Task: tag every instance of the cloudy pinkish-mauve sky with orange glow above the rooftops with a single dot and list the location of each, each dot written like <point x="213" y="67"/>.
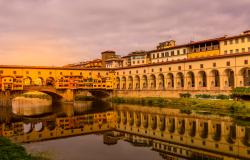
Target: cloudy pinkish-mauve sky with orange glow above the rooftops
<point x="59" y="32"/>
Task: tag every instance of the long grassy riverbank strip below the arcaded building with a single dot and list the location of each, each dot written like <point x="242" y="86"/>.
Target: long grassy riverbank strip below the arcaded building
<point x="215" y="106"/>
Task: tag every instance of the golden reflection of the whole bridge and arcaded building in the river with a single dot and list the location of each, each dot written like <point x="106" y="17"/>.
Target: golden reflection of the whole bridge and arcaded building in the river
<point x="174" y="135"/>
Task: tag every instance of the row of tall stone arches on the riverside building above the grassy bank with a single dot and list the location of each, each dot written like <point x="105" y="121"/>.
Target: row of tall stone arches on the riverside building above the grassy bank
<point x="202" y="79"/>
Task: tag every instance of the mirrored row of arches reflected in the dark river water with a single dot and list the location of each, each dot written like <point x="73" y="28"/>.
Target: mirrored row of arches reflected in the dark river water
<point x="190" y="127"/>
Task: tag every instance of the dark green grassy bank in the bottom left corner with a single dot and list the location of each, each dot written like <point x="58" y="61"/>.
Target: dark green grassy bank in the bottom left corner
<point x="9" y="151"/>
